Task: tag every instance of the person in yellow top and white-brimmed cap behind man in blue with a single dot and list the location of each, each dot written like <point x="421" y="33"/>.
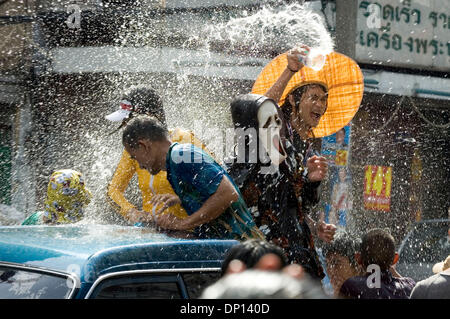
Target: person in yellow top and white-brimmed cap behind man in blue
<point x="155" y="189"/>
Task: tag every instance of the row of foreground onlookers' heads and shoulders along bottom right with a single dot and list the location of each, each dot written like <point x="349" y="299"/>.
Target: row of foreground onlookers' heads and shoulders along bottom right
<point x="258" y="269"/>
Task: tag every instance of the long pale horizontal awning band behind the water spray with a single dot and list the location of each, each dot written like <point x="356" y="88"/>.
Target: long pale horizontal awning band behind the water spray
<point x="154" y="60"/>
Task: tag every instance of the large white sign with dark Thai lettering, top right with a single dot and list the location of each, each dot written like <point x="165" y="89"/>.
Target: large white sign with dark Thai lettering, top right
<point x="405" y="33"/>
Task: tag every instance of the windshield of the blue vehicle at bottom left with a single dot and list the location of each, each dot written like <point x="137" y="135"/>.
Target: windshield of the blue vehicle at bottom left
<point x="24" y="284"/>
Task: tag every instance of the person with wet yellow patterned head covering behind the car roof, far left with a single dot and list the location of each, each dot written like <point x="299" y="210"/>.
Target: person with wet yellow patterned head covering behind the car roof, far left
<point x="67" y="198"/>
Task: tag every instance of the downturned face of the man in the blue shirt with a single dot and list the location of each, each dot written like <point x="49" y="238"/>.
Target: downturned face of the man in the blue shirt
<point x="149" y="156"/>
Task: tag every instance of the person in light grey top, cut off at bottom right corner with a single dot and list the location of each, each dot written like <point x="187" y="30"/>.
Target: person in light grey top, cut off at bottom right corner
<point x="436" y="286"/>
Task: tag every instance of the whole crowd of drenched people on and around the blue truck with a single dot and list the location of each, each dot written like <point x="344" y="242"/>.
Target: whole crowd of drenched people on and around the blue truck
<point x="261" y="195"/>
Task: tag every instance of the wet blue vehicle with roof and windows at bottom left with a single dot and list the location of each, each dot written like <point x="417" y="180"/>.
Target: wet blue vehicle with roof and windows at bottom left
<point x="105" y="261"/>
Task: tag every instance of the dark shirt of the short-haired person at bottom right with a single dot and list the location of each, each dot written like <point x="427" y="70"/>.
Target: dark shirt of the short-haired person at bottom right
<point x="390" y="287"/>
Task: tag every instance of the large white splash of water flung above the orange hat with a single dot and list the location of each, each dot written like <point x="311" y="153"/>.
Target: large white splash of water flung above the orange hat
<point x="289" y="26"/>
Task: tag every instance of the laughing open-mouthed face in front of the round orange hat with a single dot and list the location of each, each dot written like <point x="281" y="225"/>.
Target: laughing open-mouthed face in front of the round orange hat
<point x="312" y="105"/>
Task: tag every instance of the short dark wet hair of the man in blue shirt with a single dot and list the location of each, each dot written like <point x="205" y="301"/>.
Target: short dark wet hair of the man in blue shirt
<point x="143" y="127"/>
